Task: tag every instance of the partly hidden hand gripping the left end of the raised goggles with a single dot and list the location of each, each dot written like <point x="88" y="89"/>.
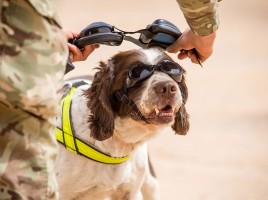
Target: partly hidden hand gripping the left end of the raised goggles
<point x="77" y="54"/>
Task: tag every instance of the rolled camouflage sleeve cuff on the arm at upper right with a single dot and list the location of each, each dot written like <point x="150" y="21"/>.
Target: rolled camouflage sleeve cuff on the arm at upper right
<point x="201" y="15"/>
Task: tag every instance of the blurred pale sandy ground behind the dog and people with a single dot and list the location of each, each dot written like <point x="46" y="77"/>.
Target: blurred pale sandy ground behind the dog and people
<point x="225" y="154"/>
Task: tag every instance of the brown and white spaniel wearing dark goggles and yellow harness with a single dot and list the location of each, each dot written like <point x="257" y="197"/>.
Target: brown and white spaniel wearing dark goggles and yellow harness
<point x="132" y="97"/>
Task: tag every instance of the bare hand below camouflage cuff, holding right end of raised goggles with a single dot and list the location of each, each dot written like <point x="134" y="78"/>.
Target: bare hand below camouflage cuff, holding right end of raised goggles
<point x="189" y="41"/>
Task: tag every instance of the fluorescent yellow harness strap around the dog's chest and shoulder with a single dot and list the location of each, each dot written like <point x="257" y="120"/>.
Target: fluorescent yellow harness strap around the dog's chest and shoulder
<point x="74" y="144"/>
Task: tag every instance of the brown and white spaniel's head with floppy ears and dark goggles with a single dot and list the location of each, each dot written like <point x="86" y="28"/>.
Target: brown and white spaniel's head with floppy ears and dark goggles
<point x="159" y="96"/>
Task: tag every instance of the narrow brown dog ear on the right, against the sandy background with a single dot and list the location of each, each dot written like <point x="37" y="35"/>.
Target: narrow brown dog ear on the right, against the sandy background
<point x="181" y="124"/>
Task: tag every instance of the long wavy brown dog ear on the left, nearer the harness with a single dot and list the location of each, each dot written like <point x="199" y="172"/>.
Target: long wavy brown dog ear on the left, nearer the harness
<point x="101" y="120"/>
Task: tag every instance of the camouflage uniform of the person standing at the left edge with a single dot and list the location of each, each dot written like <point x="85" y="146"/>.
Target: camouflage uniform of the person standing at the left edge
<point x="33" y="54"/>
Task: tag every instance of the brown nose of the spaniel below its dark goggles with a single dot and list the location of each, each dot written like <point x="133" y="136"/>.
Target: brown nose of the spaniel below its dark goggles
<point x="166" y="89"/>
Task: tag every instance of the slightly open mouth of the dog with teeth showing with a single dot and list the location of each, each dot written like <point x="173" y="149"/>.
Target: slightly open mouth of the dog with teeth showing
<point x="159" y="115"/>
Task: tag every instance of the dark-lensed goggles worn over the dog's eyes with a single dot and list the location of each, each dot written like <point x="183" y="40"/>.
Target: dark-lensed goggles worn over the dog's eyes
<point x="139" y="72"/>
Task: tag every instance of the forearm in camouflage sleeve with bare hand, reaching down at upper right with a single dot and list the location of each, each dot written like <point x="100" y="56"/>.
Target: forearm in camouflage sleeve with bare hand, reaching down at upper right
<point x="202" y="17"/>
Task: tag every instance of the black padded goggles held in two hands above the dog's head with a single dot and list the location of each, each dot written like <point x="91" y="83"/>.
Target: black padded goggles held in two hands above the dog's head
<point x="161" y="33"/>
